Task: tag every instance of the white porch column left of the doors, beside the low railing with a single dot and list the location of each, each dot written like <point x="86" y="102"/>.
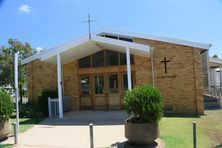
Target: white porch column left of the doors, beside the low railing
<point x="59" y="76"/>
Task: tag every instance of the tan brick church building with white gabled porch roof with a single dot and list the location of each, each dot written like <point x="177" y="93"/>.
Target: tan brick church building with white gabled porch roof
<point x="95" y="71"/>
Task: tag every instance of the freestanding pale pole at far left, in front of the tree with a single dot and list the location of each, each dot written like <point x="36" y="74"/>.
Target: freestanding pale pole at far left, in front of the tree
<point x="16" y="91"/>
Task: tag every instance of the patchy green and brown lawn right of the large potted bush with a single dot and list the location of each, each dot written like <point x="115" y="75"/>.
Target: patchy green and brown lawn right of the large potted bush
<point x="177" y="131"/>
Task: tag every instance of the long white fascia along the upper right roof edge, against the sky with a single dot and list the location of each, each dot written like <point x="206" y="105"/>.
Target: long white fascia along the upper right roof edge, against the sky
<point x="157" y="38"/>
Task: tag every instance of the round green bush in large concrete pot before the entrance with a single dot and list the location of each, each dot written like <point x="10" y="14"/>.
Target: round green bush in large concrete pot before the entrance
<point x="144" y="106"/>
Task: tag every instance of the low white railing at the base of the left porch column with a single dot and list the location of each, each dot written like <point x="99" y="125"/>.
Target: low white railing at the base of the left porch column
<point x="53" y="106"/>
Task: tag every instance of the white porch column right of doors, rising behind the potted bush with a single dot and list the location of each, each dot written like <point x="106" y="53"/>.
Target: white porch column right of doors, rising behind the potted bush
<point x="129" y="80"/>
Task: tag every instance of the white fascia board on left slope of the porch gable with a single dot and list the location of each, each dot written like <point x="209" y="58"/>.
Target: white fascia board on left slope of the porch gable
<point x="59" y="49"/>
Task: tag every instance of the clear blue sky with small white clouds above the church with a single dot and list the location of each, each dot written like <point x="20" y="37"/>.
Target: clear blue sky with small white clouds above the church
<point x="48" y="23"/>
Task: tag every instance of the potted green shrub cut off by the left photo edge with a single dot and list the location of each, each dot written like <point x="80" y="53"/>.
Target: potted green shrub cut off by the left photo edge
<point x="6" y="109"/>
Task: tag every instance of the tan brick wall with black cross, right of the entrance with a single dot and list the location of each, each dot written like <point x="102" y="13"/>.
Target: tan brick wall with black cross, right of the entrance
<point x="182" y="86"/>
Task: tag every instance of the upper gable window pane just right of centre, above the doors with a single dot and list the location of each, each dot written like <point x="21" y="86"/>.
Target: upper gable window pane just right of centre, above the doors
<point x="112" y="58"/>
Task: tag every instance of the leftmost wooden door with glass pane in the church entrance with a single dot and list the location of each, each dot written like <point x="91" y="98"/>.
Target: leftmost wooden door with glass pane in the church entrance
<point x="86" y="92"/>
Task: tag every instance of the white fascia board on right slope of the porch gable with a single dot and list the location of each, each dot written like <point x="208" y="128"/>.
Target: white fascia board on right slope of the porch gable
<point x="121" y="43"/>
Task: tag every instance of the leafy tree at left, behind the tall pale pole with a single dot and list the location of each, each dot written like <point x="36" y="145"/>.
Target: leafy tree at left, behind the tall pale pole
<point x="7" y="64"/>
